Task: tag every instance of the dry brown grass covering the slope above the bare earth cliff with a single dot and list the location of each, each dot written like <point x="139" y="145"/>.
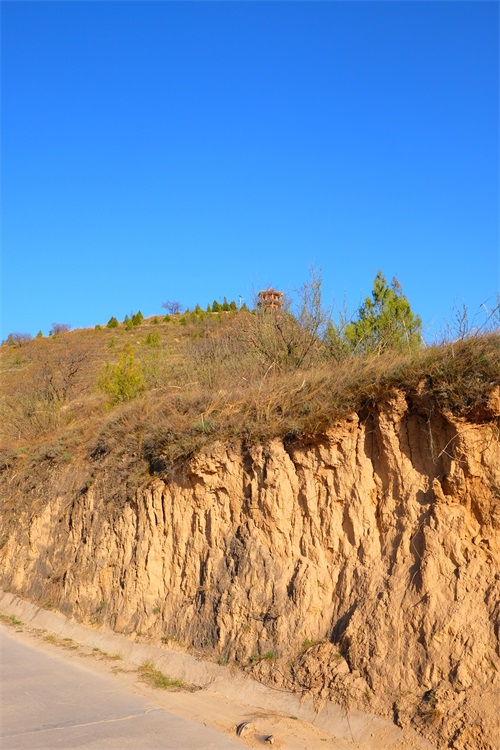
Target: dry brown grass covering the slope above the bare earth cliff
<point x="207" y="379"/>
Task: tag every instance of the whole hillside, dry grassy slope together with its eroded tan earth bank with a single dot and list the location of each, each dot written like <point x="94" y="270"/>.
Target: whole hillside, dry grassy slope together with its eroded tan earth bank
<point x="331" y="527"/>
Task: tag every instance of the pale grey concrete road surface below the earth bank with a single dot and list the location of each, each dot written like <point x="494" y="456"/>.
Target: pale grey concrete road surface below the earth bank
<point x="48" y="703"/>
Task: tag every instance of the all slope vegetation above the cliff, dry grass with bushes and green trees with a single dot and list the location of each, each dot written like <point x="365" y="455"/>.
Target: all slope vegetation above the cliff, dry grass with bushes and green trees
<point x="157" y="390"/>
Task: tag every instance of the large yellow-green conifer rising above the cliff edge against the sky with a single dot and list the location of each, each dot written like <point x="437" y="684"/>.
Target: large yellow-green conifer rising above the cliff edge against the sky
<point x="385" y="321"/>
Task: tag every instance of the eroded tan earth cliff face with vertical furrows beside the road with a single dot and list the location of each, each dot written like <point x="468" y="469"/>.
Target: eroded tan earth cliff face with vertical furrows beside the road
<point x="361" y="564"/>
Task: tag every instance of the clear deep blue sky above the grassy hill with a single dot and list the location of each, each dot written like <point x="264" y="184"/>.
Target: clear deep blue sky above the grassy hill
<point x="191" y="150"/>
